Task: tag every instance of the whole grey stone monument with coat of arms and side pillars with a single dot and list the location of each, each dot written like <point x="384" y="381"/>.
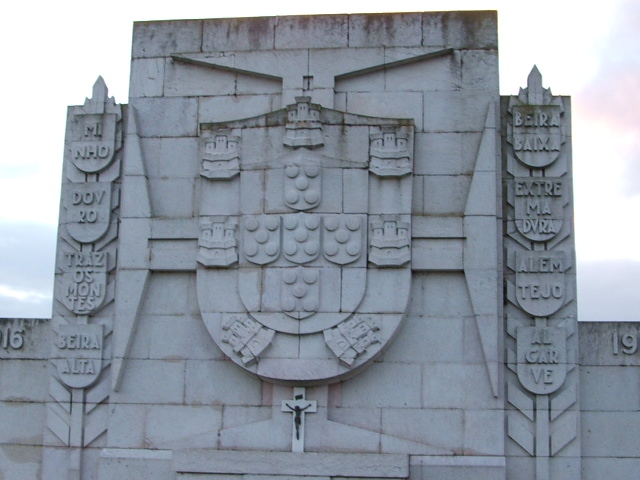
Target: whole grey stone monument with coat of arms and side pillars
<point x="311" y="248"/>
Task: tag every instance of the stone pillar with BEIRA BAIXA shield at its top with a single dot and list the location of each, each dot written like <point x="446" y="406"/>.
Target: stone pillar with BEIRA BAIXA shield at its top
<point x="542" y="382"/>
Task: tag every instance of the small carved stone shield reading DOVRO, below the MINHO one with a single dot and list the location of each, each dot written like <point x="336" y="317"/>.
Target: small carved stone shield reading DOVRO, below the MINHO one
<point x="88" y="210"/>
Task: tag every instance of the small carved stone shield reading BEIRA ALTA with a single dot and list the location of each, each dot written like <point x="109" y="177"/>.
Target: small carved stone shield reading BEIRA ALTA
<point x="78" y="356"/>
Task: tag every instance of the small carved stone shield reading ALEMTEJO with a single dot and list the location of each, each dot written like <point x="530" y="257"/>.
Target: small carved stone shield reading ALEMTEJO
<point x="540" y="281"/>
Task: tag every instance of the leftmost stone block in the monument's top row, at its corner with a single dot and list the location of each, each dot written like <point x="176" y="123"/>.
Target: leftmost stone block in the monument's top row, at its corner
<point x="158" y="39"/>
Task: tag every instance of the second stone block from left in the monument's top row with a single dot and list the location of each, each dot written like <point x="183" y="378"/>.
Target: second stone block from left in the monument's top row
<point x="227" y="34"/>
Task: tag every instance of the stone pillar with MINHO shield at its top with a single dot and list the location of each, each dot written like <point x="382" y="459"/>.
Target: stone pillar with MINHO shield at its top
<point x="79" y="384"/>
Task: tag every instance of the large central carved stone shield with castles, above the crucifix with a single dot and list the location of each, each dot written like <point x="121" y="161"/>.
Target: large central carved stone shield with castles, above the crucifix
<point x="305" y="304"/>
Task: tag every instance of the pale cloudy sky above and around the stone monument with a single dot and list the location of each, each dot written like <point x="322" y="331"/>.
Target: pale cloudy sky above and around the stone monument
<point x="54" y="51"/>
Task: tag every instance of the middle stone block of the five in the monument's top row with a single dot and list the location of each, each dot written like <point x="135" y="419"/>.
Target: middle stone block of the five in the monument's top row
<point x="307" y="32"/>
